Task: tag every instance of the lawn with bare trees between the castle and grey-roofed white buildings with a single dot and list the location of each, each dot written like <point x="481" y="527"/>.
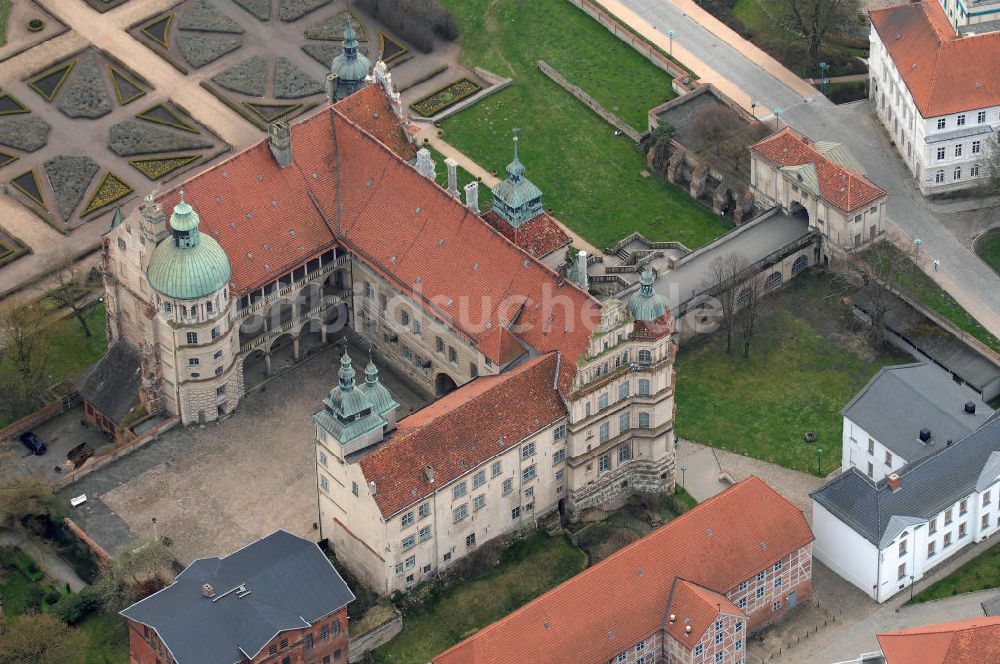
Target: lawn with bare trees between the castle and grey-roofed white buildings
<point x="804" y="366"/>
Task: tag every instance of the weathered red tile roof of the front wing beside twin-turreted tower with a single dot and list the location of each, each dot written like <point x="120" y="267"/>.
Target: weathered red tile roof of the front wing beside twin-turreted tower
<point x="458" y="432"/>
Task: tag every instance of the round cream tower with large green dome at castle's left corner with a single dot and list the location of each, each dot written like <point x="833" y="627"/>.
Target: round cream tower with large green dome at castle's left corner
<point x="189" y="272"/>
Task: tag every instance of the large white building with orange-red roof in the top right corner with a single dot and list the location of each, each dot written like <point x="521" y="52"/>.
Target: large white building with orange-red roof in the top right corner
<point x="936" y="91"/>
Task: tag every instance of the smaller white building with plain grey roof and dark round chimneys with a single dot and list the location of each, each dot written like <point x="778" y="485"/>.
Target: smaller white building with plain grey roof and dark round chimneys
<point x="905" y="413"/>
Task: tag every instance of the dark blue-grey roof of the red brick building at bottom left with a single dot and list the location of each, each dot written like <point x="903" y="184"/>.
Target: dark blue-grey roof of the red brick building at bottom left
<point x="289" y="585"/>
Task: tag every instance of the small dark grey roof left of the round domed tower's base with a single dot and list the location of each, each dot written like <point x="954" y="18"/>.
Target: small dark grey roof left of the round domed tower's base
<point x="112" y="386"/>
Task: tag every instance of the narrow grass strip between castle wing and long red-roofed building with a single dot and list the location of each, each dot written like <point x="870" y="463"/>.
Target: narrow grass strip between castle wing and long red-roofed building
<point x="528" y="569"/>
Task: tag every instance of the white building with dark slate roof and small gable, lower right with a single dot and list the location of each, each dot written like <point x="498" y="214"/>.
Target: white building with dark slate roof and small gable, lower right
<point x="884" y="536"/>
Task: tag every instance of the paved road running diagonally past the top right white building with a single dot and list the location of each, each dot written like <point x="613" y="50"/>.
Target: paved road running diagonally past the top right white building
<point x="962" y="274"/>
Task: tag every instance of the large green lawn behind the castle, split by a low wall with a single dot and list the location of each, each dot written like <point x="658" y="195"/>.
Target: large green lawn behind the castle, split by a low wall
<point x="589" y="178"/>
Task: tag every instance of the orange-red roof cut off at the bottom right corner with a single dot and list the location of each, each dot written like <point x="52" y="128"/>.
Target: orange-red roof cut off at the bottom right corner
<point x="975" y="641"/>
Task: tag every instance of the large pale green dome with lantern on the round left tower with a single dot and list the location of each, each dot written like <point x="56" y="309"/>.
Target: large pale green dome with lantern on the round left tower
<point x="187" y="265"/>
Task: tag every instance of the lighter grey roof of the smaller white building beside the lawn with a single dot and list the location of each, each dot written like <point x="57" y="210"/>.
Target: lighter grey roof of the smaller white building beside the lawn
<point x="900" y="401"/>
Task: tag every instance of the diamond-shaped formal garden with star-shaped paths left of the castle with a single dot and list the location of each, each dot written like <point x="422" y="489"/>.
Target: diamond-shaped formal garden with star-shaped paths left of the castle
<point x="67" y="151"/>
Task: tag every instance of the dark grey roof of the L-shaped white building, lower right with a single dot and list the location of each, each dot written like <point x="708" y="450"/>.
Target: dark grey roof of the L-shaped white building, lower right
<point x="928" y="486"/>
